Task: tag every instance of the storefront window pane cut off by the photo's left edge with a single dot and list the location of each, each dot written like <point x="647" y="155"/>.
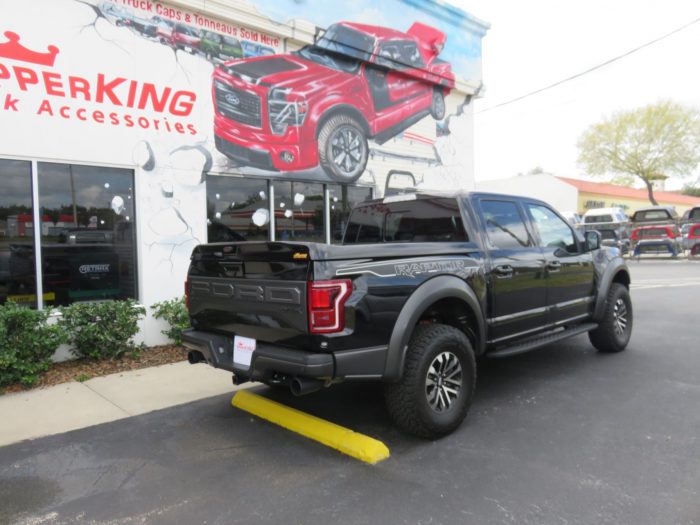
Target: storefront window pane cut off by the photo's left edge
<point x="17" y="272"/>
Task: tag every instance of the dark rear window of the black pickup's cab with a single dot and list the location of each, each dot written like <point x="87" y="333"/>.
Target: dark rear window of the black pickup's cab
<point x="421" y="220"/>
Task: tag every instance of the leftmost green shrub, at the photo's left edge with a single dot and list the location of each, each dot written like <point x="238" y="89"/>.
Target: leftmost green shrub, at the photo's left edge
<point x="27" y="343"/>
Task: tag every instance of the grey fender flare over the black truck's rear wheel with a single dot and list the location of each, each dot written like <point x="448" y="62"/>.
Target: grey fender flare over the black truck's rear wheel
<point x="433" y="290"/>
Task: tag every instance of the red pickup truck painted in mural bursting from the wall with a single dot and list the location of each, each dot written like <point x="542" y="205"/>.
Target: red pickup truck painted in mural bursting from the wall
<point x="321" y="104"/>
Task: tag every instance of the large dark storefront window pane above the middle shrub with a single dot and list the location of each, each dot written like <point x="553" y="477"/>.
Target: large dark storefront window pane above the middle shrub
<point x="87" y="233"/>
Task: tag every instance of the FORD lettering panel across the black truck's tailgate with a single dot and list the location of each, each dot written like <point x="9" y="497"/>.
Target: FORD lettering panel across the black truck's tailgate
<point x="259" y="292"/>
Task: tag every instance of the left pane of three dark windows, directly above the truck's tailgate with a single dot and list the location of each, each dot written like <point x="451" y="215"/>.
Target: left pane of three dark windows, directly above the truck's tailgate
<point x="237" y="209"/>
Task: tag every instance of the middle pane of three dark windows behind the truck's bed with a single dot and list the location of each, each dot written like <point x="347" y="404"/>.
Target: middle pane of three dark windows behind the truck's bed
<point x="299" y="211"/>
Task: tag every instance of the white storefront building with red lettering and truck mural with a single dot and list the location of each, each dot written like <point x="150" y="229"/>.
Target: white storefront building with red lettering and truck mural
<point x="133" y="130"/>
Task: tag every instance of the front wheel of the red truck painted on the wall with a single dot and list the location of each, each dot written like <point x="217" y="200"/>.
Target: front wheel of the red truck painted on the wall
<point x="342" y="148"/>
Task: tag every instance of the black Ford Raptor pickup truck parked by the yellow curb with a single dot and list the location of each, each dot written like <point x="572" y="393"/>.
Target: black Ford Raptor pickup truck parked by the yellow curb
<point x="421" y="286"/>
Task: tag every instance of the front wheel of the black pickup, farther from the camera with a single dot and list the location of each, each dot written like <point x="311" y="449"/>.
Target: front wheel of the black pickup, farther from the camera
<point x="614" y="331"/>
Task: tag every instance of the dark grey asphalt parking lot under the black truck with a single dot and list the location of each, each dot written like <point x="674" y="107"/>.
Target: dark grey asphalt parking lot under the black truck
<point x="560" y="435"/>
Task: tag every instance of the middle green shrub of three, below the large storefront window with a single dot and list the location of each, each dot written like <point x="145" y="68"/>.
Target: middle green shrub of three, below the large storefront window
<point x="102" y="330"/>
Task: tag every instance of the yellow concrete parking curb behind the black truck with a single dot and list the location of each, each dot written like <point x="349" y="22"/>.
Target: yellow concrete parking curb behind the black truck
<point x="340" y="438"/>
